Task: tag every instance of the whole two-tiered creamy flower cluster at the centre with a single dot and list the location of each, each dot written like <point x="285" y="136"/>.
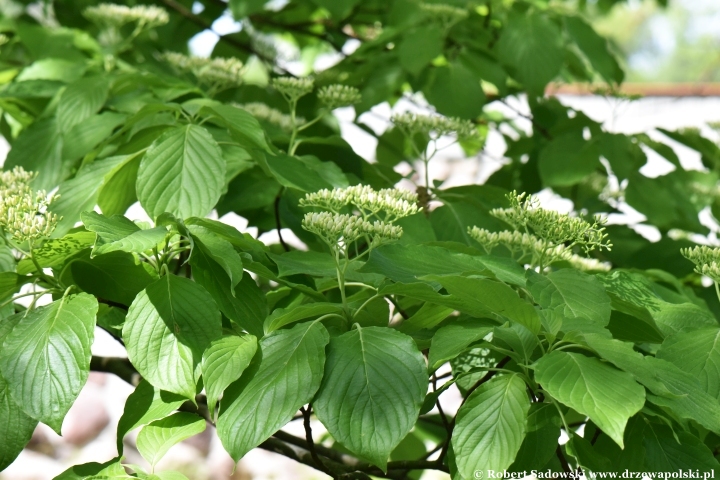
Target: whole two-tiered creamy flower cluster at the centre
<point x="370" y="215"/>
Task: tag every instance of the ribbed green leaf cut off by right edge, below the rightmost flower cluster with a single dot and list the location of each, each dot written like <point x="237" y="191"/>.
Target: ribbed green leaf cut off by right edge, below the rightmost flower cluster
<point x="698" y="354"/>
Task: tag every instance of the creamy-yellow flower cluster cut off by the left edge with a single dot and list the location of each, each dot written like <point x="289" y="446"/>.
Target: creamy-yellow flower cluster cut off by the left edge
<point x="24" y="213"/>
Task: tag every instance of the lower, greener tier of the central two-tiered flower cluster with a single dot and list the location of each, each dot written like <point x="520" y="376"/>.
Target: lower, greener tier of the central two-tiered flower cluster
<point x="335" y="228"/>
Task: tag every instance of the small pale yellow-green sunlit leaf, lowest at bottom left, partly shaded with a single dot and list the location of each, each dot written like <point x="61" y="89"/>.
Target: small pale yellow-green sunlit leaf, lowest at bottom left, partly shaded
<point x="155" y="439"/>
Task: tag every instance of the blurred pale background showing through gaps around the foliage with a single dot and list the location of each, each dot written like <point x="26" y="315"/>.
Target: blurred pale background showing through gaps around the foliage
<point x="671" y="57"/>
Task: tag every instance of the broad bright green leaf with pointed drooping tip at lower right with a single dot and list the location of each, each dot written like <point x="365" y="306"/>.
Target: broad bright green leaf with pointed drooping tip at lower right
<point x="582" y="382"/>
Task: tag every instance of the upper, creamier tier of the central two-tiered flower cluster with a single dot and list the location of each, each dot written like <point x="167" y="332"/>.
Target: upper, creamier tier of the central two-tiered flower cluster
<point x="394" y="203"/>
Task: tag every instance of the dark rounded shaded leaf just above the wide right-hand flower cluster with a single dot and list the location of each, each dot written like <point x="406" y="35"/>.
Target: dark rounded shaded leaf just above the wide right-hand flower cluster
<point x="568" y="159"/>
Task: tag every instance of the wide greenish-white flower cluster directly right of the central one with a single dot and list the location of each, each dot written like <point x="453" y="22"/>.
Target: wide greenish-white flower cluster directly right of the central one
<point x="541" y="237"/>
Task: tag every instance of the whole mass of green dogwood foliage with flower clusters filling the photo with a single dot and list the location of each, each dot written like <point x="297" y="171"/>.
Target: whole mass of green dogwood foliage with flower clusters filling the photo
<point x="545" y="322"/>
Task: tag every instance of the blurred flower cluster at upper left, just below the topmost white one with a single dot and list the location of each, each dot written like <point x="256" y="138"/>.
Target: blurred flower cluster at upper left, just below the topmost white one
<point x="217" y="72"/>
